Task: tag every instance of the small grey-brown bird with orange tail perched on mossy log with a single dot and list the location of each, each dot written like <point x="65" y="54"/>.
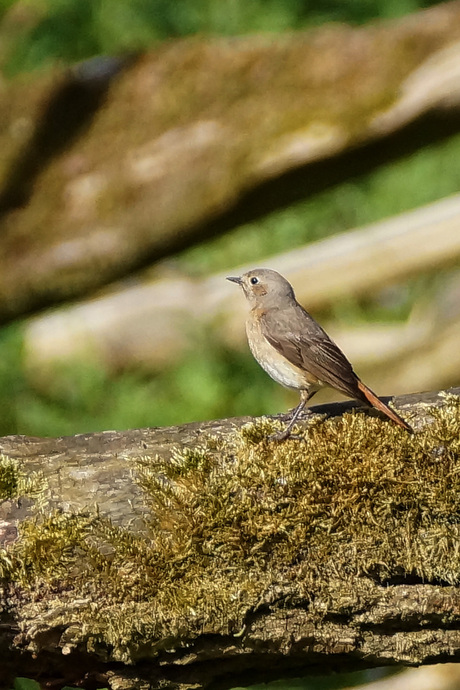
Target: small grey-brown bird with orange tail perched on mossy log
<point x="293" y="348"/>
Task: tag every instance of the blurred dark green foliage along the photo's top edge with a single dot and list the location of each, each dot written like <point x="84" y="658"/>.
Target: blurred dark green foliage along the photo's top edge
<point x="70" y="30"/>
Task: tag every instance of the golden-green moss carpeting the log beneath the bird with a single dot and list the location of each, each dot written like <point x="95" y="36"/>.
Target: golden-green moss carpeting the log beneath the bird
<point x="227" y="520"/>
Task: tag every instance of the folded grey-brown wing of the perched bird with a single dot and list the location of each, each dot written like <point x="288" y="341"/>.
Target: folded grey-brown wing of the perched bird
<point x="306" y="345"/>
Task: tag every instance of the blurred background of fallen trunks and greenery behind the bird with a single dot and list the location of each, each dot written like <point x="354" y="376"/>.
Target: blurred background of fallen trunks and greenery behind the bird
<point x="150" y="148"/>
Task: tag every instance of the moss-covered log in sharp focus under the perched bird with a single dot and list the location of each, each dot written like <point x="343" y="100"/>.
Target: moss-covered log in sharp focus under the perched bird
<point x="207" y="556"/>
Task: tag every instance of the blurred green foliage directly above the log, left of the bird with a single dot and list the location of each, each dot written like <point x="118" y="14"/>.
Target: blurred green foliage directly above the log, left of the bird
<point x="210" y="382"/>
